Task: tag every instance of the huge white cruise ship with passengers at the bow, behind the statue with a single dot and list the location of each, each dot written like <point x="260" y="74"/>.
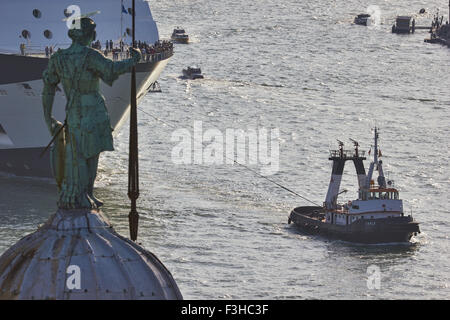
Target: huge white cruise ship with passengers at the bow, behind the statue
<point x="27" y="28"/>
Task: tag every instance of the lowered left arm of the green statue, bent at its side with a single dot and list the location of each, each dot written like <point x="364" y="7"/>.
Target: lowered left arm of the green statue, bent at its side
<point x="51" y="80"/>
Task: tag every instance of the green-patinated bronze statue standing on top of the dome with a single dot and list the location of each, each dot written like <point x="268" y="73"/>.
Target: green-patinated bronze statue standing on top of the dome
<point x="87" y="130"/>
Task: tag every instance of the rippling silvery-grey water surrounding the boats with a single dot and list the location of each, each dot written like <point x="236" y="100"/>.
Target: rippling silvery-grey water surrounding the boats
<point x="302" y="68"/>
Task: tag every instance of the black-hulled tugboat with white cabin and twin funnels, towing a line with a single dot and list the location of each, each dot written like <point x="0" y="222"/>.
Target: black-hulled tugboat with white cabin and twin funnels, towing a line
<point x="375" y="217"/>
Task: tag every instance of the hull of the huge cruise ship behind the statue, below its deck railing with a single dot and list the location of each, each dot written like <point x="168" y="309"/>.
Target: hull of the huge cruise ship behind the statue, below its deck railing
<point x="25" y="134"/>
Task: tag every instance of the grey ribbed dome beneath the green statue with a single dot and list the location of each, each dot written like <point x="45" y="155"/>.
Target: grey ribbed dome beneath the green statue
<point x="78" y="255"/>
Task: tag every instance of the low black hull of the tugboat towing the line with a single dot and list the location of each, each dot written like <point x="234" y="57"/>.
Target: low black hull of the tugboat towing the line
<point x="368" y="231"/>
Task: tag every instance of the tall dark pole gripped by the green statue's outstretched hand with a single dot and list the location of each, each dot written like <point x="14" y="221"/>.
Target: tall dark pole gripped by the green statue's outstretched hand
<point x="133" y="168"/>
